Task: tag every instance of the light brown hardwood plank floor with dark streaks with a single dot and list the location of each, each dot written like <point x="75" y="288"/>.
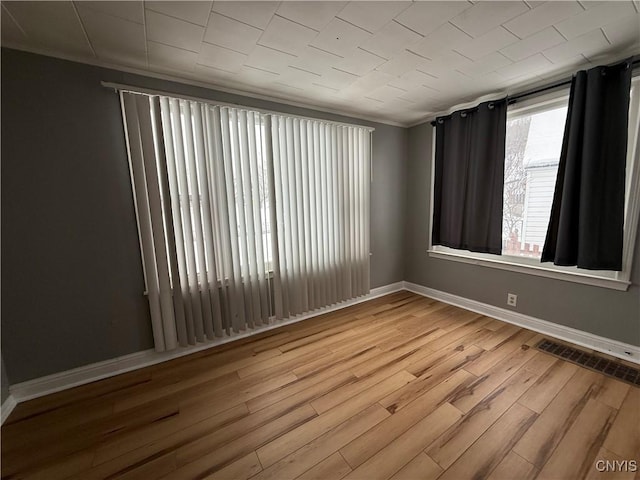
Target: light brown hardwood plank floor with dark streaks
<point x="400" y="387"/>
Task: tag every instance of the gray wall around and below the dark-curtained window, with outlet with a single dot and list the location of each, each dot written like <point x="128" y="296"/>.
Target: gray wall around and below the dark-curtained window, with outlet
<point x="608" y="313"/>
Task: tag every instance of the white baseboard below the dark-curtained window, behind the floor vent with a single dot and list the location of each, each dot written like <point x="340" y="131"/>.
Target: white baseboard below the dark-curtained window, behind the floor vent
<point x="578" y="337"/>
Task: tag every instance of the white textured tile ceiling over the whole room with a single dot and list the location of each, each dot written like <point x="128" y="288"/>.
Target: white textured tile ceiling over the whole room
<point x="396" y="61"/>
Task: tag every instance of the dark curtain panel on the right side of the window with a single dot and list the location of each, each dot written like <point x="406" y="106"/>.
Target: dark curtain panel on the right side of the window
<point x="586" y="224"/>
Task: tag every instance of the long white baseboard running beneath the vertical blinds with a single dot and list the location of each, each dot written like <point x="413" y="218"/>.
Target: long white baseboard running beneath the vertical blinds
<point x="56" y="382"/>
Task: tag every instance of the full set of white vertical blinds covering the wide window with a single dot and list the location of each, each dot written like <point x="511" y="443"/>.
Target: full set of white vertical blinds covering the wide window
<point x="244" y="216"/>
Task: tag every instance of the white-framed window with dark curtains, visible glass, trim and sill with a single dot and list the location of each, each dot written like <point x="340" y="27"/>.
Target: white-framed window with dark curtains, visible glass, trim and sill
<point x="532" y="150"/>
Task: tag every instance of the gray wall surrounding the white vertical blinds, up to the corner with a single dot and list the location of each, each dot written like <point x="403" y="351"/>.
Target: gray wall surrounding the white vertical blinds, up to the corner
<point x="71" y="276"/>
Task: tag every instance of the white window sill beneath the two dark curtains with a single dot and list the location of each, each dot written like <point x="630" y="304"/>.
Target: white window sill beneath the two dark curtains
<point x="586" y="279"/>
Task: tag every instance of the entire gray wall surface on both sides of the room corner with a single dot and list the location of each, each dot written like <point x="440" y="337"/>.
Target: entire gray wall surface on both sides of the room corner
<point x="71" y="275"/>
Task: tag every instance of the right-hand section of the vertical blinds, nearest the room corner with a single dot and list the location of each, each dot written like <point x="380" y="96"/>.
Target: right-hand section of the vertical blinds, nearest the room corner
<point x="321" y="182"/>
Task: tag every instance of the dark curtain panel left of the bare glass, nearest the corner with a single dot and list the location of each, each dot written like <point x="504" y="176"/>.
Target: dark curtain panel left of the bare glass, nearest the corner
<point x="469" y="176"/>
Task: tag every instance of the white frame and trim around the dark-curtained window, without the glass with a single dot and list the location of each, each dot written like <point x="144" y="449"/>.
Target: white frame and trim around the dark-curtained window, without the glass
<point x="533" y="266"/>
